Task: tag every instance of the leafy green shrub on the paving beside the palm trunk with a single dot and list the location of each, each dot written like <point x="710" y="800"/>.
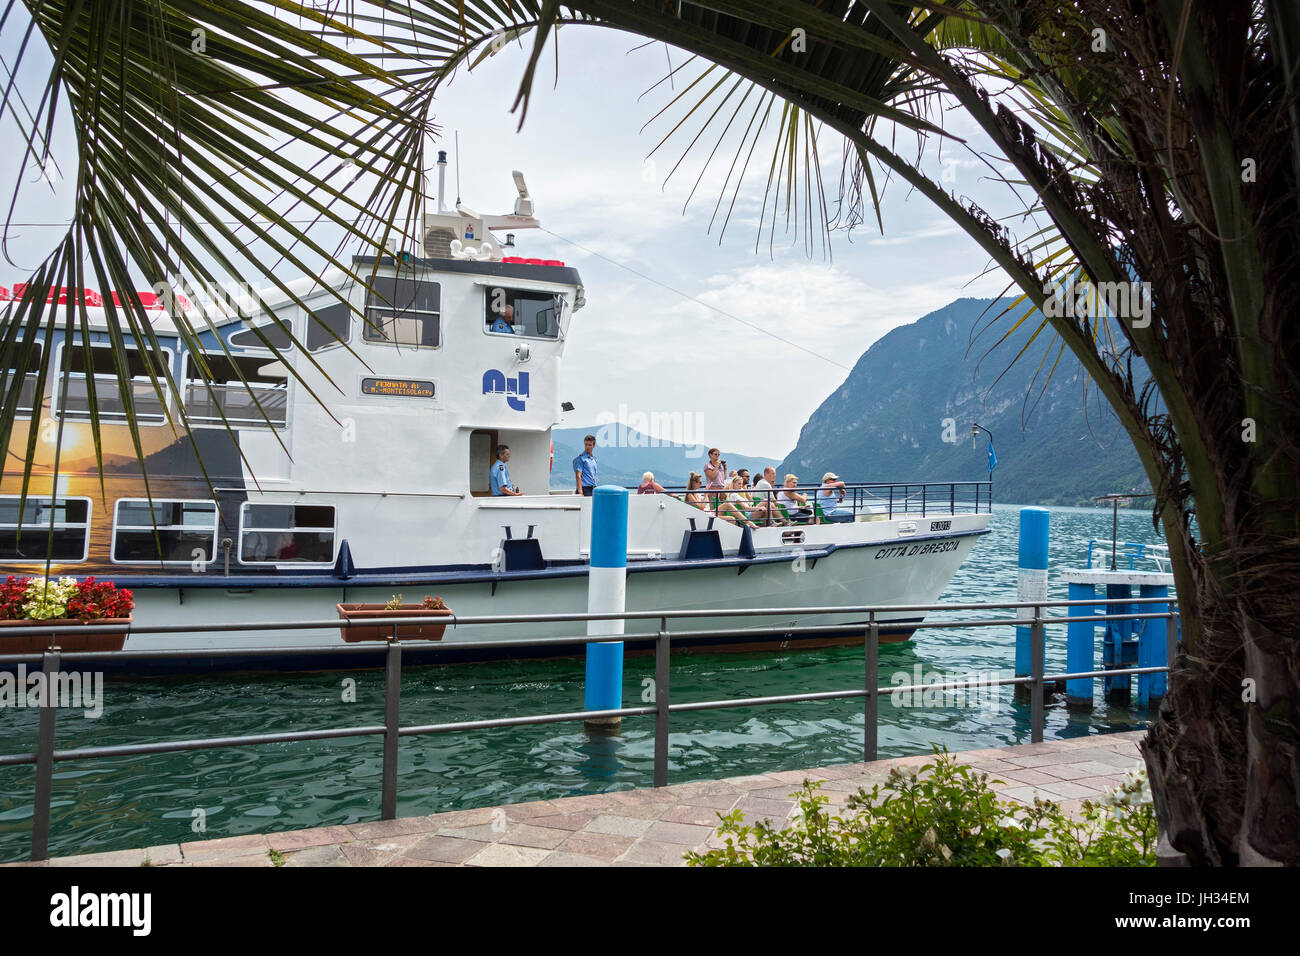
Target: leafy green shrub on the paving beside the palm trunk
<point x="944" y="815"/>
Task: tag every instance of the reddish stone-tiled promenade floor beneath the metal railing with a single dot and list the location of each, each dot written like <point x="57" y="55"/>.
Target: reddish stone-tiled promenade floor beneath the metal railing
<point x="636" y="828"/>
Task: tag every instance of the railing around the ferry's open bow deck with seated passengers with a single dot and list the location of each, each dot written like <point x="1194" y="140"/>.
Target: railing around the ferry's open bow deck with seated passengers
<point x="857" y="501"/>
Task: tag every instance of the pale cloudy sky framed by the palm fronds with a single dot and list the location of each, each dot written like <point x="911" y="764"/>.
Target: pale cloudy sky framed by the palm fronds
<point x="738" y="345"/>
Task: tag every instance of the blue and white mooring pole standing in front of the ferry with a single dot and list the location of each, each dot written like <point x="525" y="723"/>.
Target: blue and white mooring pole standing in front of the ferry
<point x="606" y="591"/>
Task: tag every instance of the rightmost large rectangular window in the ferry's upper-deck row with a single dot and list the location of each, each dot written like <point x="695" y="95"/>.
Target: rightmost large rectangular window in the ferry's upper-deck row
<point x="268" y="384"/>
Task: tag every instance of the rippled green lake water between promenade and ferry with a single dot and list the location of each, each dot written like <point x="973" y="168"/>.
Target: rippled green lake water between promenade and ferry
<point x="123" y="803"/>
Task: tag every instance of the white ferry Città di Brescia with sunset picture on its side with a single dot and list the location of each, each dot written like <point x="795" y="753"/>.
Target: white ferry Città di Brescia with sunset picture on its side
<point x="366" y="475"/>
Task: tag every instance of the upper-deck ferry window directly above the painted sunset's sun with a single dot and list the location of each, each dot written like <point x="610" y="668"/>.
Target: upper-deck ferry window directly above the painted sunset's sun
<point x="146" y="369"/>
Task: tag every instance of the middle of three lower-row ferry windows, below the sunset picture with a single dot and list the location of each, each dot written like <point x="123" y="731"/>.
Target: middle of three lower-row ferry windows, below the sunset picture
<point x="172" y="533"/>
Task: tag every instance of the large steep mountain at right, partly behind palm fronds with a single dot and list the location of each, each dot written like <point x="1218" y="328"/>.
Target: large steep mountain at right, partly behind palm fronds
<point x="905" y="414"/>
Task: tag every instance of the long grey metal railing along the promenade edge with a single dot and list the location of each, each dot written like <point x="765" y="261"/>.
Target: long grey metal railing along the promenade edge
<point x="1033" y="615"/>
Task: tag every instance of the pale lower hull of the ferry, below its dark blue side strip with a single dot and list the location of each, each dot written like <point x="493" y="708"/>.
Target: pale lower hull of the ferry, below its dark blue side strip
<point x="877" y="574"/>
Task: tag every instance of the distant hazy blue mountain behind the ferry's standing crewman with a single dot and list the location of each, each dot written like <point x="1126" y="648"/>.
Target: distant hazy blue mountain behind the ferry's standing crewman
<point x="625" y="455"/>
